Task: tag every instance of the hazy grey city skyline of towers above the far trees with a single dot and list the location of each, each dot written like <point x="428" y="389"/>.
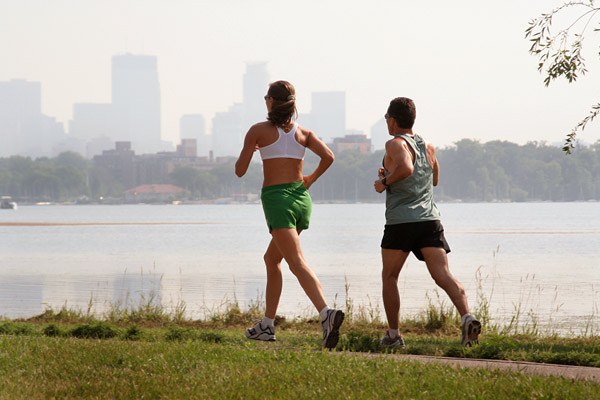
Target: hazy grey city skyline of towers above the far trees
<point x="133" y="115"/>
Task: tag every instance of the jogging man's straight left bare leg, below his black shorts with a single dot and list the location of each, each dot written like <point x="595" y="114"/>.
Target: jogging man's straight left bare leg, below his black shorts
<point x="393" y="261"/>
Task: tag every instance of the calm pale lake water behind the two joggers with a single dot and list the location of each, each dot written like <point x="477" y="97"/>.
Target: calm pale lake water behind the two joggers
<point x="535" y="259"/>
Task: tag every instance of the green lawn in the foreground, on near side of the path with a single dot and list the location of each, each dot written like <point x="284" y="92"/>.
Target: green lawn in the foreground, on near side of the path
<point x="223" y="365"/>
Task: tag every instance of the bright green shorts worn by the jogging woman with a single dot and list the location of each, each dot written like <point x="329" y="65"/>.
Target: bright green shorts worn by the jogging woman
<point x="286" y="206"/>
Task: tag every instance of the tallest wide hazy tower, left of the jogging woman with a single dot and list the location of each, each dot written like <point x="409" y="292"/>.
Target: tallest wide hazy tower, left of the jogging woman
<point x="136" y="102"/>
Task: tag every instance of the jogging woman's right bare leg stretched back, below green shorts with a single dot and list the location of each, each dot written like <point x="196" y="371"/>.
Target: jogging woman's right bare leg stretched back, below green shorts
<point x="288" y="243"/>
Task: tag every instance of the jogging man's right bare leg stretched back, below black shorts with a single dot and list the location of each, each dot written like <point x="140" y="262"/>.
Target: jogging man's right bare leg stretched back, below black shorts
<point x="437" y="264"/>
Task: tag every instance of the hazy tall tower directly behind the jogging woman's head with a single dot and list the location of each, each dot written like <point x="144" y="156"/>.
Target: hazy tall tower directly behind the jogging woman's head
<point x="256" y="84"/>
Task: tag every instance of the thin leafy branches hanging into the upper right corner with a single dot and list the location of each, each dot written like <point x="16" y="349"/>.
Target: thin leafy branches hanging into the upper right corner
<point x="559" y="54"/>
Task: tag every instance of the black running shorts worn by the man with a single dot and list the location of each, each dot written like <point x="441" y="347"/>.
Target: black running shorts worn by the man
<point x="413" y="236"/>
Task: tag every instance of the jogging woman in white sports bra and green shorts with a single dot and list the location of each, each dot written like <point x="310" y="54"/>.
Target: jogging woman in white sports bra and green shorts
<point x="287" y="205"/>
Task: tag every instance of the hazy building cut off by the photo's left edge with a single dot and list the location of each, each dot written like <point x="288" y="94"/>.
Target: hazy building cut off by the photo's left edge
<point x="24" y="130"/>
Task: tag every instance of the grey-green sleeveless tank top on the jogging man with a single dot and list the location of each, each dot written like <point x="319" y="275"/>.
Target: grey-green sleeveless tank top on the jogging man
<point x="411" y="199"/>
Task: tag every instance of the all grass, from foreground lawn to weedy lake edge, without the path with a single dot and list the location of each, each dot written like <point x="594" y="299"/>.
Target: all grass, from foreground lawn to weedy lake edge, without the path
<point x="148" y="353"/>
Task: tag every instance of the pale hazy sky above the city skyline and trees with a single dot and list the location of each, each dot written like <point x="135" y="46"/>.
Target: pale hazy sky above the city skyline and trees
<point x="464" y="63"/>
